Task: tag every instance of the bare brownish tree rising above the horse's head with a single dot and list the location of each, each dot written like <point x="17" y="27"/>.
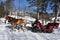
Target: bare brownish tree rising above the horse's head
<point x="9" y="5"/>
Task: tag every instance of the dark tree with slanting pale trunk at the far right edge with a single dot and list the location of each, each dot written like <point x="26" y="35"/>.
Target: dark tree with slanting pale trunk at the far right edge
<point x="55" y="7"/>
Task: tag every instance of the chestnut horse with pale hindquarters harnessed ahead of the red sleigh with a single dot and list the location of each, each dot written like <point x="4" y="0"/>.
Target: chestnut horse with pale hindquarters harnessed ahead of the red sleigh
<point x="21" y="22"/>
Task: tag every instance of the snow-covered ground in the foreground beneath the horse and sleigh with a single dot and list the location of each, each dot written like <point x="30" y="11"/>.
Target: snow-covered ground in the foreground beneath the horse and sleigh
<point x="6" y="34"/>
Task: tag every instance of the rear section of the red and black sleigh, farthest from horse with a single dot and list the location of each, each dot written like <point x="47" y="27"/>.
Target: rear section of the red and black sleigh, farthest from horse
<point x="49" y="27"/>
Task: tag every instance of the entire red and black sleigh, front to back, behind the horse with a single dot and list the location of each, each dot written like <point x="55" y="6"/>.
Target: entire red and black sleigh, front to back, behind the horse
<point x="46" y="29"/>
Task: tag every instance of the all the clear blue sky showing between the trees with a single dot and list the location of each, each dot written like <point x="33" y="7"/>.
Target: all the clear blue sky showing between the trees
<point x="24" y="3"/>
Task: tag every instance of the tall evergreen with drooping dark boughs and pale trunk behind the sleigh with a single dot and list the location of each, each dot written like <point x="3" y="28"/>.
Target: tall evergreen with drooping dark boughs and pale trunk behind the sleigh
<point x="40" y="4"/>
